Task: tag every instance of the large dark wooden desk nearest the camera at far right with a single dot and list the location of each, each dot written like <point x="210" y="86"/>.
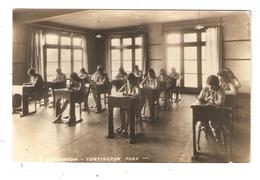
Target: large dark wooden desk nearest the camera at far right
<point x="204" y="112"/>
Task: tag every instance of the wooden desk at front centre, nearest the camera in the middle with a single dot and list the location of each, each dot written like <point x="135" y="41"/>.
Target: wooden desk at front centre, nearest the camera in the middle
<point x="127" y="102"/>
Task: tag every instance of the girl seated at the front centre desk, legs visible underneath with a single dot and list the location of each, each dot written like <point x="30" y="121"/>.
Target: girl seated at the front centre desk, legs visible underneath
<point x="131" y="88"/>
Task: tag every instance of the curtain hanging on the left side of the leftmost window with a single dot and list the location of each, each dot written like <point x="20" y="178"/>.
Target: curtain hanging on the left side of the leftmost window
<point x="36" y="50"/>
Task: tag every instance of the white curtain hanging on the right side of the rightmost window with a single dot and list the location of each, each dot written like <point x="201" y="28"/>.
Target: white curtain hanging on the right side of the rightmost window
<point x="213" y="50"/>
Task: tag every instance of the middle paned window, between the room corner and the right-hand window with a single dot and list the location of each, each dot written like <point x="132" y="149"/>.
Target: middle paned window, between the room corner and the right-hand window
<point x="126" y="52"/>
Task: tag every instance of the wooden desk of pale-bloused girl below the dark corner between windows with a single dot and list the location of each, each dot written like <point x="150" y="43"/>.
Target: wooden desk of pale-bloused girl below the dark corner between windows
<point x="98" y="89"/>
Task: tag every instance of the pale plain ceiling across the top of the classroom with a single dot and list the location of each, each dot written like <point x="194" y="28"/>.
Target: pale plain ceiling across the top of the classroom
<point x="107" y="19"/>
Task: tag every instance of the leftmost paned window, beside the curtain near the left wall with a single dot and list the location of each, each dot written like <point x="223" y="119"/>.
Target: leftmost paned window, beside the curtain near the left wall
<point x="63" y="51"/>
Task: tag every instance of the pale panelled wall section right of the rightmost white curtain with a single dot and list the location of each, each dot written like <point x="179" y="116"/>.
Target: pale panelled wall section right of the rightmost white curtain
<point x="237" y="48"/>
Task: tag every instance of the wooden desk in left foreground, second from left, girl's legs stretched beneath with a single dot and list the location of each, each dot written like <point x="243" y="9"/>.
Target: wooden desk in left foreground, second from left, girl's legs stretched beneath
<point x="73" y="97"/>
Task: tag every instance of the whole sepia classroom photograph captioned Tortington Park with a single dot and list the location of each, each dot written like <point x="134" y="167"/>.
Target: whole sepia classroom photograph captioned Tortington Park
<point x="154" y="86"/>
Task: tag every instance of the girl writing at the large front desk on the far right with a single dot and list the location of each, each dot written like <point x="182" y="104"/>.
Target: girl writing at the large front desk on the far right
<point x="213" y="94"/>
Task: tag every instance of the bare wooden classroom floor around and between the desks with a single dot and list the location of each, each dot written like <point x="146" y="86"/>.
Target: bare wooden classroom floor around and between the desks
<point x="36" y="138"/>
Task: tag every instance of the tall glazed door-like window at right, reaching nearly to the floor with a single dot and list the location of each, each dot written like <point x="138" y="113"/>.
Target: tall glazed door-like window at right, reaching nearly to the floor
<point x="185" y="51"/>
